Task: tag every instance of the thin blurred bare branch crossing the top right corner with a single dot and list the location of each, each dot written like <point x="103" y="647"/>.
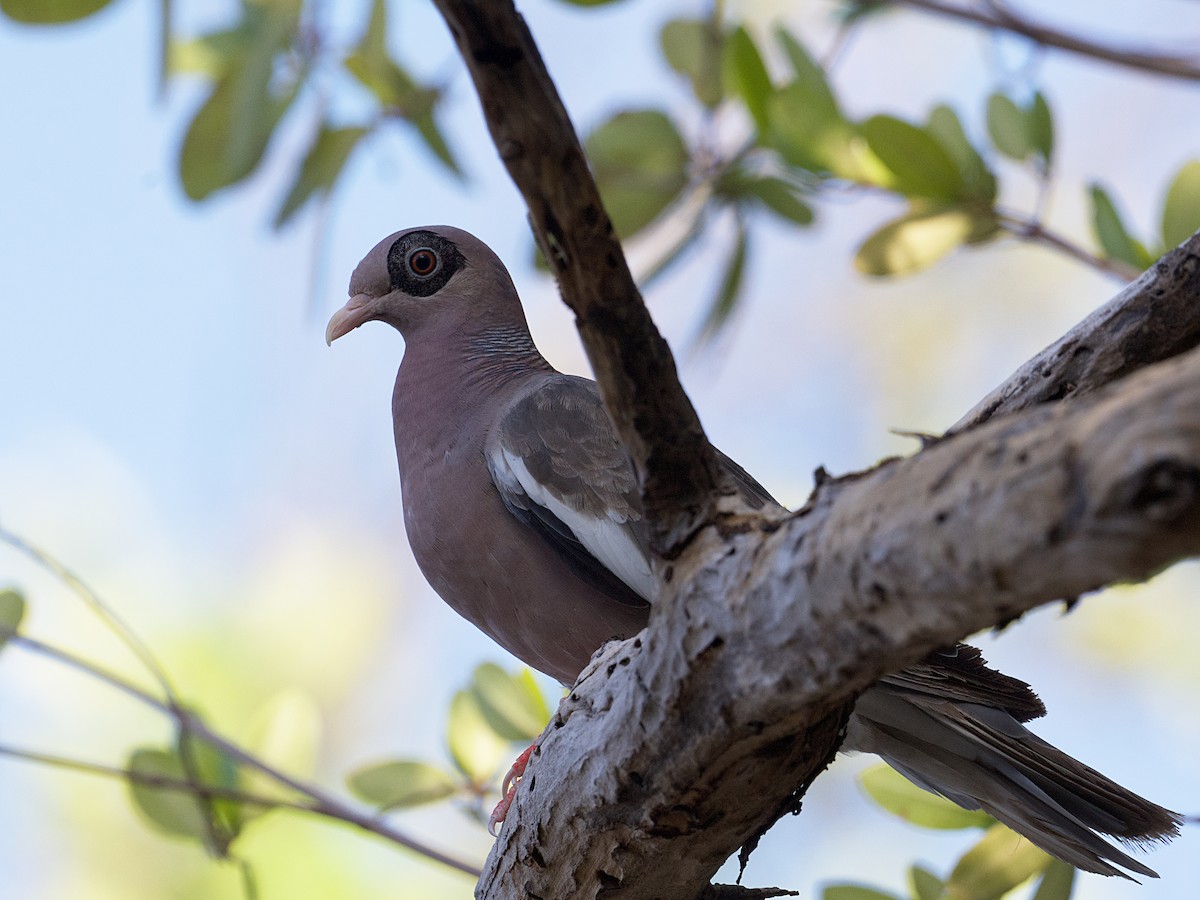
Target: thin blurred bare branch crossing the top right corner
<point x="995" y="15"/>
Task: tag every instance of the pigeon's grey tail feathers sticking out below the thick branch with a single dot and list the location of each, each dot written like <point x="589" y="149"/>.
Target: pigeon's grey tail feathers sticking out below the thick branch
<point x="982" y="758"/>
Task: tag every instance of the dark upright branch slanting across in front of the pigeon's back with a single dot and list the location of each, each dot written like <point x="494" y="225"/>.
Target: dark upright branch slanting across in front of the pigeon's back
<point x="632" y="362"/>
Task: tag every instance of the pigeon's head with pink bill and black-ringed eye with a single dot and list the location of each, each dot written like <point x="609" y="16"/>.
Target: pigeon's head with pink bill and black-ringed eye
<point x="422" y="275"/>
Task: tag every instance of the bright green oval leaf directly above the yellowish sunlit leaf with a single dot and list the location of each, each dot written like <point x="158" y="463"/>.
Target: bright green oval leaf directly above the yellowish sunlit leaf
<point x="920" y="165"/>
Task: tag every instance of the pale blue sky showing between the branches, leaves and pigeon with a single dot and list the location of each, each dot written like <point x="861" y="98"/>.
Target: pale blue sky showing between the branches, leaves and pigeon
<point x="175" y="428"/>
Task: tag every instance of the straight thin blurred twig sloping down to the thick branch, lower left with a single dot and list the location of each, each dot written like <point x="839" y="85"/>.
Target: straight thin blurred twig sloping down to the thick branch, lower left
<point x="323" y="802"/>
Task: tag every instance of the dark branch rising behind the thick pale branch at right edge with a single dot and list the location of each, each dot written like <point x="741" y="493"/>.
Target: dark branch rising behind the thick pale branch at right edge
<point x="1155" y="319"/>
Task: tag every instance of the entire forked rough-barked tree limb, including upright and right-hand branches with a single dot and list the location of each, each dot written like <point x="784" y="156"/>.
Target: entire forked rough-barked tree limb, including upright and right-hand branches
<point x="679" y="747"/>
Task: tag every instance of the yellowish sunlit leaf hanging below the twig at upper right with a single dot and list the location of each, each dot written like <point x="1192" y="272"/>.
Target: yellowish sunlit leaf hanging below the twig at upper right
<point x="914" y="243"/>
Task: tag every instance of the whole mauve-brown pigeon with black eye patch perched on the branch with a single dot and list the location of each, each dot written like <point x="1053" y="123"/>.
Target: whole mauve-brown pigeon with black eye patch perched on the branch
<point x="524" y="513"/>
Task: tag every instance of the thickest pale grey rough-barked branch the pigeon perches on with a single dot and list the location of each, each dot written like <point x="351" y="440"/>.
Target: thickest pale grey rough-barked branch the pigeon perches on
<point x="734" y="704"/>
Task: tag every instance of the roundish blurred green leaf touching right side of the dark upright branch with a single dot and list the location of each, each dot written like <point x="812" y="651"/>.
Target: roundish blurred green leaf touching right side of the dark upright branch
<point x="640" y="164"/>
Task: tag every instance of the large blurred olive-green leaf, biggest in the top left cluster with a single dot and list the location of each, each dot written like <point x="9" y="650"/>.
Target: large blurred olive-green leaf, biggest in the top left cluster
<point x="230" y="134"/>
